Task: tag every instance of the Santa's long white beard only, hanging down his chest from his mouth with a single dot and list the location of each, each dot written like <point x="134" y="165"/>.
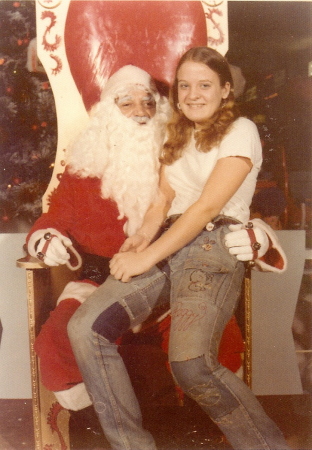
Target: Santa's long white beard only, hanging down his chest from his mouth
<point x="132" y="172"/>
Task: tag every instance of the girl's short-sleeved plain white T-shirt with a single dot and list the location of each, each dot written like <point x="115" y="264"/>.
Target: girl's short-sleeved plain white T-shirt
<point x="187" y="176"/>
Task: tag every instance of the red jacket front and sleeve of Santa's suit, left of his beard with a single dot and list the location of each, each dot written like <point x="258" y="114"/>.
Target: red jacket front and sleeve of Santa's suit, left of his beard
<point x="77" y="210"/>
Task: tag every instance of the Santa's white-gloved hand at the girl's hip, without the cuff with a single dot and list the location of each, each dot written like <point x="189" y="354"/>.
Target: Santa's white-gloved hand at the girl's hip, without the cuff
<point x="247" y="242"/>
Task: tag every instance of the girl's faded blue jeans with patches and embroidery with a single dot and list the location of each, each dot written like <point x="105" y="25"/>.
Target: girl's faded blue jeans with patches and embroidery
<point x="204" y="283"/>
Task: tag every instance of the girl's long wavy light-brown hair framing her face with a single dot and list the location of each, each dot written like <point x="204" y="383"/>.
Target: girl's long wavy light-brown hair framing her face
<point x="180" y="129"/>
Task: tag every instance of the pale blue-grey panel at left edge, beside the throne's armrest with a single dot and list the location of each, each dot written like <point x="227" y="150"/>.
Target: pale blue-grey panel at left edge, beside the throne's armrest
<point x="14" y="348"/>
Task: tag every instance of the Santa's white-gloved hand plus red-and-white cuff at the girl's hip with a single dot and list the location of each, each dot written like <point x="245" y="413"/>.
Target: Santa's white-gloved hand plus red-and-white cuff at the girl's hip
<point x="256" y="241"/>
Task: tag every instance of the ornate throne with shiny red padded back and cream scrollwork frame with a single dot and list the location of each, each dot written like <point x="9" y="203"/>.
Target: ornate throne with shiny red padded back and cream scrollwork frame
<point x="80" y="44"/>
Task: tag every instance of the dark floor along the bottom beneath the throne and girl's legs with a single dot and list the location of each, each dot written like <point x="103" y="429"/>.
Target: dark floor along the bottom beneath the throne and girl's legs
<point x="174" y="428"/>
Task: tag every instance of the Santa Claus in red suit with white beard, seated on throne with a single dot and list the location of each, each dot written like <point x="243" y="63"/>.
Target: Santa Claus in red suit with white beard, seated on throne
<point x="110" y="180"/>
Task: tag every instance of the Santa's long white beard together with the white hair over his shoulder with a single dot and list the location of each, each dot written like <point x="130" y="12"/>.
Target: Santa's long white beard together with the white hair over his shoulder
<point x="124" y="155"/>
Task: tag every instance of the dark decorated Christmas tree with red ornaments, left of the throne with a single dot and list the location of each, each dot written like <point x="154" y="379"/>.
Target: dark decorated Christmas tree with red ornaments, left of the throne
<point x="28" y="133"/>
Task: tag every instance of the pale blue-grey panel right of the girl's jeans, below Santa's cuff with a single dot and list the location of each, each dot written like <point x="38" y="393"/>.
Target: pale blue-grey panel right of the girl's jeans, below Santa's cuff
<point x="275" y="368"/>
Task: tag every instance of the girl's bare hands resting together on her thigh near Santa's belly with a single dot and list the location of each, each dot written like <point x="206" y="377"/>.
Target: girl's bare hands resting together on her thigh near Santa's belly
<point x="125" y="265"/>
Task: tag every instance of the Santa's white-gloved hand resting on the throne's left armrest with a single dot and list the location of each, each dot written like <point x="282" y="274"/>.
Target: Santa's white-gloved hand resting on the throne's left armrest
<point x="49" y="246"/>
